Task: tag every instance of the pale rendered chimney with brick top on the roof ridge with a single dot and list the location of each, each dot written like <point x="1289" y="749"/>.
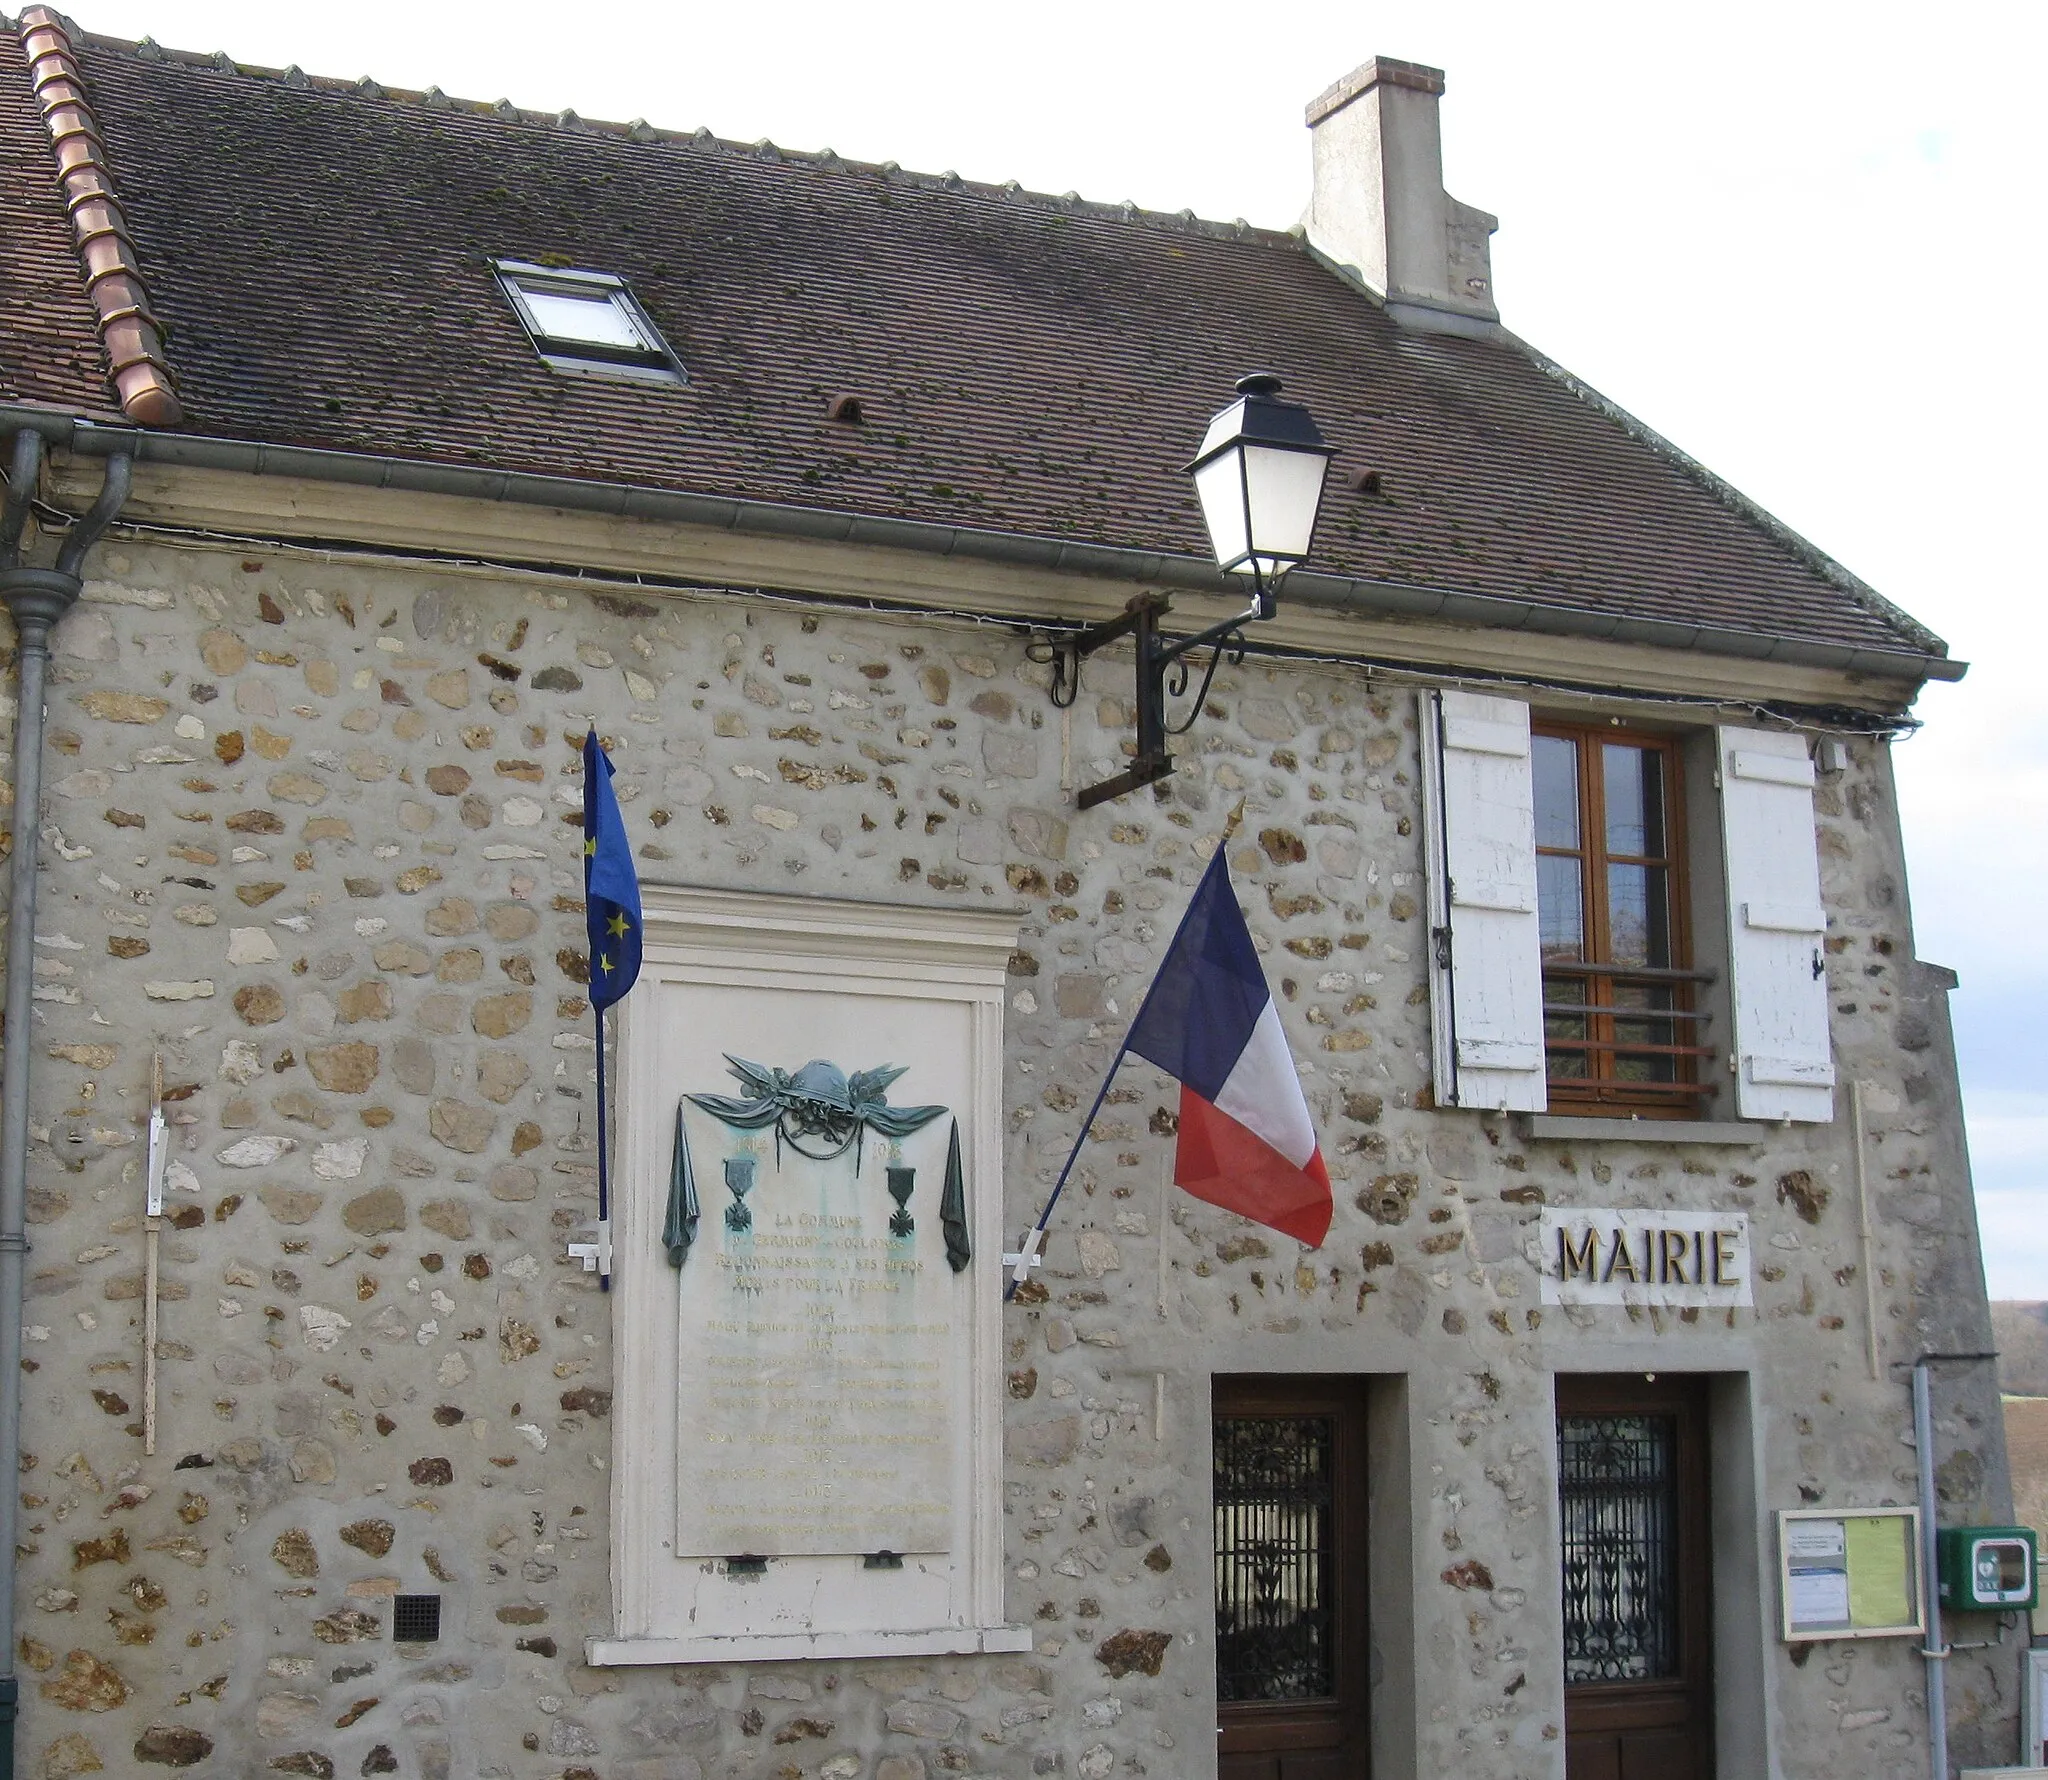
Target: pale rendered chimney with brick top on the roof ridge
<point x="1379" y="208"/>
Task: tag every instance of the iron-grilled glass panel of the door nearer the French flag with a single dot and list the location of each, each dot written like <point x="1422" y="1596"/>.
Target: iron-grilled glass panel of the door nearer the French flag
<point x="1275" y="1560"/>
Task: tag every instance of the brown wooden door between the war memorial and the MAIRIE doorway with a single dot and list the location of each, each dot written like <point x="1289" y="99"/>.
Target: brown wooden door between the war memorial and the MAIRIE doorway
<point x="1291" y="1580"/>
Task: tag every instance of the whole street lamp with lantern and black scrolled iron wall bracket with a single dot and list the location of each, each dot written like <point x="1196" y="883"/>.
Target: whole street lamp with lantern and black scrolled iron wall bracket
<point x="1261" y="482"/>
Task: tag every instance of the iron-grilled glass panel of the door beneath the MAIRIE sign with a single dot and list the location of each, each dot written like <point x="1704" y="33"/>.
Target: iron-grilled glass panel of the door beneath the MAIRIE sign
<point x="1619" y="1507"/>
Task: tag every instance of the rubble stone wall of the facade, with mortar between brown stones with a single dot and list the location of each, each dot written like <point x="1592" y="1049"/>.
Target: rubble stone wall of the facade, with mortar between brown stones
<point x="308" y="835"/>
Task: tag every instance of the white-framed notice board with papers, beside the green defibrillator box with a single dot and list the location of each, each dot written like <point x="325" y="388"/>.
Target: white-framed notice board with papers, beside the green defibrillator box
<point x="1850" y="1574"/>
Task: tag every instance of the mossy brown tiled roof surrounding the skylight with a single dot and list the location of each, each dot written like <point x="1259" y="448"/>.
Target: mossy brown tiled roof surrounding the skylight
<point x="1033" y="366"/>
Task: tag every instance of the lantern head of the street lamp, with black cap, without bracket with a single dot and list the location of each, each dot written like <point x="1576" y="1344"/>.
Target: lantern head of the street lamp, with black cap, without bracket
<point x="1261" y="482"/>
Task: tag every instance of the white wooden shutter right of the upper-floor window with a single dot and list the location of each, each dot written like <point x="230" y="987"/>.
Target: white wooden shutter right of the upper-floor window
<point x="1777" y="929"/>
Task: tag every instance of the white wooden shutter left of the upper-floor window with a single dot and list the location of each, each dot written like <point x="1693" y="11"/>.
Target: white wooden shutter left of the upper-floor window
<point x="1486" y="953"/>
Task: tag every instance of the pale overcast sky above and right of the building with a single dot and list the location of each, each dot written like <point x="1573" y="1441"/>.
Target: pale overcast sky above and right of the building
<point x="1801" y="241"/>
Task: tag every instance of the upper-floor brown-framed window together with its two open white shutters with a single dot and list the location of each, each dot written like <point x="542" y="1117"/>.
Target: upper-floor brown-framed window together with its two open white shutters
<point x="1562" y="966"/>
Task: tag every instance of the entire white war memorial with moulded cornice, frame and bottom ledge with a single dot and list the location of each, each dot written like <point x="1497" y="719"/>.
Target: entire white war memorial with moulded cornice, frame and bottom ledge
<point x="808" y="1418"/>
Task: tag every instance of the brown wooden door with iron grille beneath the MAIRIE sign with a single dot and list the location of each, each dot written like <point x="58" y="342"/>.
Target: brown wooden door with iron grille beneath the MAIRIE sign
<point x="1633" y="1507"/>
